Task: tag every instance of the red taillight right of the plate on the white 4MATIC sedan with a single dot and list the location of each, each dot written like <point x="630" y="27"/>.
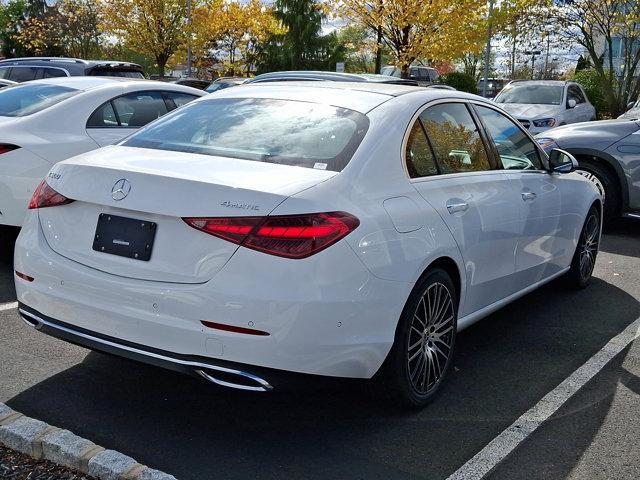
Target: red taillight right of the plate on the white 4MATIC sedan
<point x="290" y="236"/>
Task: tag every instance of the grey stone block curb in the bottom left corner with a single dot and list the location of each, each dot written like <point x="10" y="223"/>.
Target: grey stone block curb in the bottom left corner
<point x="40" y="440"/>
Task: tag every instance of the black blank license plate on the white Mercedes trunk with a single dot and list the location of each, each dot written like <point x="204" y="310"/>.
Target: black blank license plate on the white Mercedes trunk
<point x="125" y="237"/>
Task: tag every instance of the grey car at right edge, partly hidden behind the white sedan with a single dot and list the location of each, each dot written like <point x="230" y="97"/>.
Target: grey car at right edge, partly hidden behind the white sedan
<point x="608" y="152"/>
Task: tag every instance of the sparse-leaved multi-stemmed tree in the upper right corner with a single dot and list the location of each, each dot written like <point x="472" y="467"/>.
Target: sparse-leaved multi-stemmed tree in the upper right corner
<point x="597" y="26"/>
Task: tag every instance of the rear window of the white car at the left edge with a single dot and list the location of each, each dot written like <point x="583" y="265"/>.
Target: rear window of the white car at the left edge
<point x="23" y="100"/>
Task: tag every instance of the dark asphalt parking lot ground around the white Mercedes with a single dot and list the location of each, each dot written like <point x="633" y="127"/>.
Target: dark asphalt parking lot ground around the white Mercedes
<point x="505" y="364"/>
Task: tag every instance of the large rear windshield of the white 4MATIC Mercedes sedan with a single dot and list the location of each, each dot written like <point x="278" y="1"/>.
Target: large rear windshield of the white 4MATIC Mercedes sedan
<point x="261" y="130"/>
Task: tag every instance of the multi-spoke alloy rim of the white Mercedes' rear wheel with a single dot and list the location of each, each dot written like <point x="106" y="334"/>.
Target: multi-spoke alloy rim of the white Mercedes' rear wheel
<point x="430" y="340"/>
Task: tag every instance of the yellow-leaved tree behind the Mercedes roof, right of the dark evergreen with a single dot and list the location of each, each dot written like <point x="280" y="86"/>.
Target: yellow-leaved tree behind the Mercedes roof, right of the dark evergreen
<point x="415" y="29"/>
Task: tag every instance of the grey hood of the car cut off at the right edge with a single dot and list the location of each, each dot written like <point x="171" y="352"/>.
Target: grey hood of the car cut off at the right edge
<point x="596" y="135"/>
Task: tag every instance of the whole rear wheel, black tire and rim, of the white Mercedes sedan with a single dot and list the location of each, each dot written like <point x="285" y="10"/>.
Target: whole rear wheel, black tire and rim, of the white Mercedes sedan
<point x="401" y="377"/>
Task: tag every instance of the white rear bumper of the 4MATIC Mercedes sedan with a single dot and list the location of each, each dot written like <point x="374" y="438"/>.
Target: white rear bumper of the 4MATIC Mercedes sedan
<point x="326" y="316"/>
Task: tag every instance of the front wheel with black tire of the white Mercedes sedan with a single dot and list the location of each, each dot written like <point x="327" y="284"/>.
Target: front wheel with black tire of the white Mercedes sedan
<point x="586" y="253"/>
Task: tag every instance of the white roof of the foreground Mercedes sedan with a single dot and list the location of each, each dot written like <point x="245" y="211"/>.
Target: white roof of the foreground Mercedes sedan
<point x="359" y="96"/>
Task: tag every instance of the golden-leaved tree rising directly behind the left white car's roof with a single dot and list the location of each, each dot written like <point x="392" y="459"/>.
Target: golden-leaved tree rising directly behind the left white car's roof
<point x="156" y="28"/>
